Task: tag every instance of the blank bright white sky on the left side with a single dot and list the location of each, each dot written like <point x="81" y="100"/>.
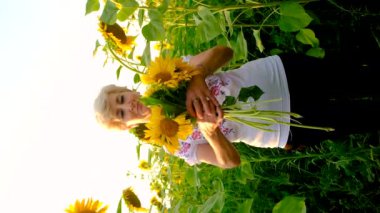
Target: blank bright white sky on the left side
<point x="52" y="151"/>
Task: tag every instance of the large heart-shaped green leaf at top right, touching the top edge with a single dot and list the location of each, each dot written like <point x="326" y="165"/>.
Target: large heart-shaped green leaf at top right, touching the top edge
<point x="293" y="17"/>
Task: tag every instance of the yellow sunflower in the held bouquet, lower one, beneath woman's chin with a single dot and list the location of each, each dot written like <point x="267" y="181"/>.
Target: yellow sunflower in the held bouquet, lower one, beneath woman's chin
<point x="164" y="131"/>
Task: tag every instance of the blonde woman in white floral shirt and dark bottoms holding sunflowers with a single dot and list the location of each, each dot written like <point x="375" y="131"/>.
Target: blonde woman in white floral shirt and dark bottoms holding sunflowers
<point x="309" y="93"/>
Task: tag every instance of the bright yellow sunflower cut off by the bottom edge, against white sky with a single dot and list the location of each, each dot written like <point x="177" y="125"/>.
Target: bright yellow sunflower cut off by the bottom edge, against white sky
<point x="87" y="206"/>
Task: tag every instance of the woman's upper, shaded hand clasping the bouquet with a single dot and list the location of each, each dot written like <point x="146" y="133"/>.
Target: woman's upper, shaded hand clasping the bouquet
<point x="199" y="101"/>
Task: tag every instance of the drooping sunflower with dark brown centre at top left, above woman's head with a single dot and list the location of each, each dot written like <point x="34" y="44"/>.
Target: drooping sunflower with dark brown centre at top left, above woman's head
<point x="116" y="35"/>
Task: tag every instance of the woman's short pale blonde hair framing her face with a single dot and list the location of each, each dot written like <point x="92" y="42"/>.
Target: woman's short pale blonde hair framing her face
<point x="102" y="109"/>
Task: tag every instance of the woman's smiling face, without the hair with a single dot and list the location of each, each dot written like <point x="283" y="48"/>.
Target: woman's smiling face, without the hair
<point x="125" y="105"/>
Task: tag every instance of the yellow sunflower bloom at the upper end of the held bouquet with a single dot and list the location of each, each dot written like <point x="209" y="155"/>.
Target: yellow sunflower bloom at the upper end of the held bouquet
<point x="168" y="72"/>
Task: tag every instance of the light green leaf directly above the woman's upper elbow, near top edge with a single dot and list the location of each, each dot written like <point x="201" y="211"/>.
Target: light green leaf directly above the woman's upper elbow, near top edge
<point x="208" y="27"/>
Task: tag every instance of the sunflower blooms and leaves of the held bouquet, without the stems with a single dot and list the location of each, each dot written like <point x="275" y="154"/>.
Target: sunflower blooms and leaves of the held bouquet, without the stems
<point x="166" y="79"/>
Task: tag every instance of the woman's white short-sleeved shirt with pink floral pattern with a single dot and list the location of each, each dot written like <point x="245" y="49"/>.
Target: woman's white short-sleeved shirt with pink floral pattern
<point x="269" y="75"/>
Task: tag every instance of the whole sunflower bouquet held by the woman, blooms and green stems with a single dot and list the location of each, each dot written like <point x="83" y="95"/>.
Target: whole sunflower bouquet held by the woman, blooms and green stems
<point x="167" y="80"/>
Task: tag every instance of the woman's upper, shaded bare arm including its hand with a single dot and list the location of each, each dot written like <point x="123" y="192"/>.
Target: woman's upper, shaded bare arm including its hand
<point x="207" y="63"/>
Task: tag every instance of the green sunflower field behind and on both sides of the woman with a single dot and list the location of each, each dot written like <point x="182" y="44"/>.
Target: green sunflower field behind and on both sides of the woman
<point x="333" y="176"/>
